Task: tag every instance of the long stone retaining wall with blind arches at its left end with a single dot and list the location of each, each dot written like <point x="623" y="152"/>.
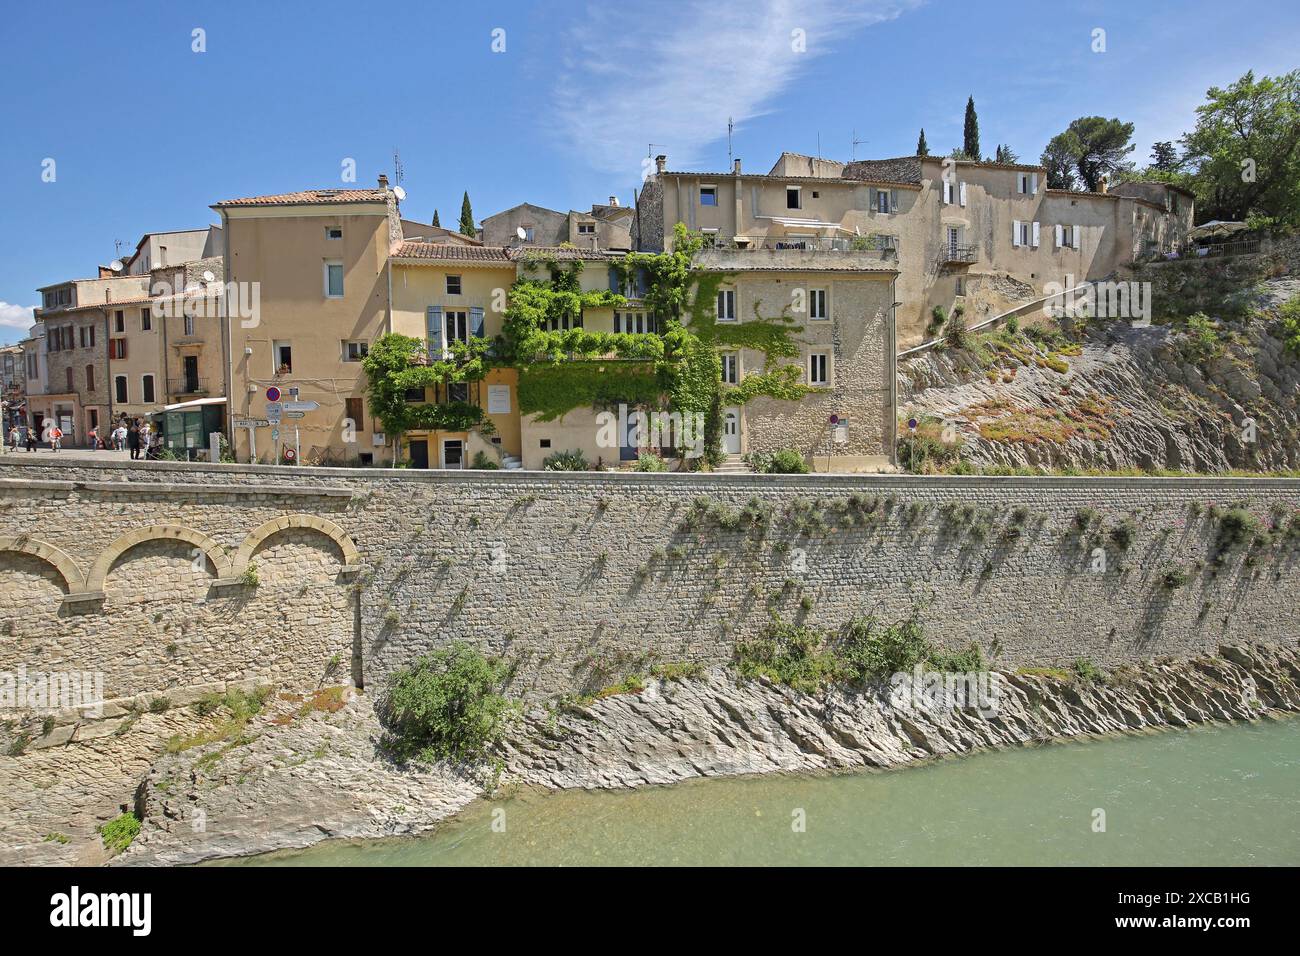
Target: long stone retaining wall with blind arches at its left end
<point x="586" y="578"/>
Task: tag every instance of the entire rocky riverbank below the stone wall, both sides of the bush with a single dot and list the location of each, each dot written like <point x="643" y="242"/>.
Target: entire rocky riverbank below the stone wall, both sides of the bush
<point x="292" y="782"/>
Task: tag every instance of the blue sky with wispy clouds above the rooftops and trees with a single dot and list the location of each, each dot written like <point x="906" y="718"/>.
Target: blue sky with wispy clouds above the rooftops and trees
<point x="148" y="133"/>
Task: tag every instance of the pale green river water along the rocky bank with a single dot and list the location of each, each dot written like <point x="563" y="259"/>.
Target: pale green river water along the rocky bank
<point x="1221" y="795"/>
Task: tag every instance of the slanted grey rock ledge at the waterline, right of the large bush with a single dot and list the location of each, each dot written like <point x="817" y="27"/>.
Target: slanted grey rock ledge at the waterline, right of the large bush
<point x="720" y="725"/>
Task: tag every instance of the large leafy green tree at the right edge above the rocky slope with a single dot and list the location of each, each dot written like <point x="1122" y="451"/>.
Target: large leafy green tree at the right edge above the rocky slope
<point x="1245" y="153"/>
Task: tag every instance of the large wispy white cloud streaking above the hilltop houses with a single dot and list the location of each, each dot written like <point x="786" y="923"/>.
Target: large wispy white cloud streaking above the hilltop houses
<point x="671" y="75"/>
